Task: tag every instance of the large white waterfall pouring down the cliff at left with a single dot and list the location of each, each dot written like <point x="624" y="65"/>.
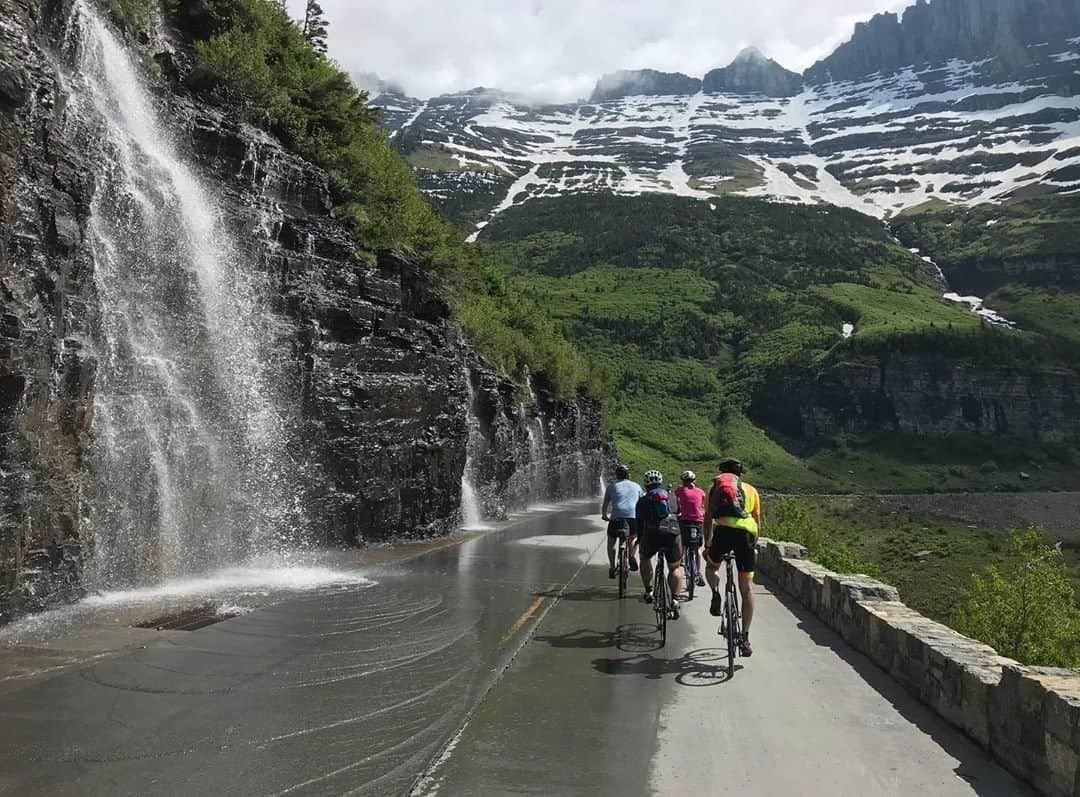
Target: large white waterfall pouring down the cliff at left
<point x="190" y="453"/>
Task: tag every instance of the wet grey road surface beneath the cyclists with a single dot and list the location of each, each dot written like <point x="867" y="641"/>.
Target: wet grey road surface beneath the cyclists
<point x="358" y="690"/>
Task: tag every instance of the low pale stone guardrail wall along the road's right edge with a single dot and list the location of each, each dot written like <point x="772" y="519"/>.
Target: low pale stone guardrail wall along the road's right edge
<point x="1029" y="719"/>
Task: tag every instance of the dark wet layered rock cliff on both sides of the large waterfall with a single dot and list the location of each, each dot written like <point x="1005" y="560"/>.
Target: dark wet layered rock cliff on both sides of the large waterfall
<point x="375" y="371"/>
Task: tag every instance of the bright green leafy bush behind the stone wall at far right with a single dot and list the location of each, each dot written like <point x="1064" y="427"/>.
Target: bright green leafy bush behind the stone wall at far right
<point x="1027" y="610"/>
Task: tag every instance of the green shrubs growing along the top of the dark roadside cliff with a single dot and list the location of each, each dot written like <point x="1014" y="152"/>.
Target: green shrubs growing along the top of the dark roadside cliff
<point x="252" y="59"/>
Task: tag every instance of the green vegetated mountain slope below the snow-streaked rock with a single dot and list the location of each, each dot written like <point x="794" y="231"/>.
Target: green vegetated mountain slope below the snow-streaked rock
<point x="704" y="316"/>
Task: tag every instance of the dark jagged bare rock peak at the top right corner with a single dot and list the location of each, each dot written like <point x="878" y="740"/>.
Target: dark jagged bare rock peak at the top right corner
<point x="944" y="30"/>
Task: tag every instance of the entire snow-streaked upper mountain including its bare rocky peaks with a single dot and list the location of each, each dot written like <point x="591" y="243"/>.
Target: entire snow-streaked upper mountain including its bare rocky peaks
<point x="879" y="128"/>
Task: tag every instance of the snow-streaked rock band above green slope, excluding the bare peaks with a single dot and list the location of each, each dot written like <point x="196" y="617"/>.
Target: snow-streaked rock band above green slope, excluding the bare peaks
<point x="950" y="132"/>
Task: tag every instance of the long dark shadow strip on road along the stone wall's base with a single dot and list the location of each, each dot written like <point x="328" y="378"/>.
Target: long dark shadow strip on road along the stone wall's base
<point x="985" y="777"/>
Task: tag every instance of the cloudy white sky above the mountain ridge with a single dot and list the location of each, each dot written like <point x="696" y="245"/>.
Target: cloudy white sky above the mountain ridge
<point x="557" y="50"/>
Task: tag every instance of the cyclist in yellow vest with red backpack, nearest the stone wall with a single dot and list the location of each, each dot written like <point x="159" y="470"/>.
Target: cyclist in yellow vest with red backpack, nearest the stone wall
<point x="735" y="518"/>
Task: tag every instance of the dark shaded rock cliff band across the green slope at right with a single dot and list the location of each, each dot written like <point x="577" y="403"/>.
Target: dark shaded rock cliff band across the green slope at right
<point x="926" y="396"/>
